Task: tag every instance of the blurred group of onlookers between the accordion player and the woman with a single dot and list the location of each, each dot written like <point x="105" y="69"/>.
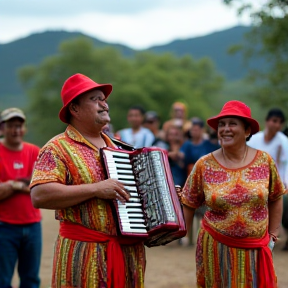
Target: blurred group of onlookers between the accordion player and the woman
<point x="184" y="140"/>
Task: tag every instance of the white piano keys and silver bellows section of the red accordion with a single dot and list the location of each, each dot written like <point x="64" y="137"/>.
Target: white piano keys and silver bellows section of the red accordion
<point x="144" y="177"/>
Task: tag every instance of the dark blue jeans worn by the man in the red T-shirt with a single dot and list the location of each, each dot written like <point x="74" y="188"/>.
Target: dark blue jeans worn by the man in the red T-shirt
<point x="22" y="243"/>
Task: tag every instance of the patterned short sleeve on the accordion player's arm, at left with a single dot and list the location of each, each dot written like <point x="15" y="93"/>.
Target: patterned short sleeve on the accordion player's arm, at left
<point x="49" y="167"/>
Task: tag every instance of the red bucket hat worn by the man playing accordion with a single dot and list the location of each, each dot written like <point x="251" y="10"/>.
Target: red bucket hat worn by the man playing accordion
<point x="76" y="85"/>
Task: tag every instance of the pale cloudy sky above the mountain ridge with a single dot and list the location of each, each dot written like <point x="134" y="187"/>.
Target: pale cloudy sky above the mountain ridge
<point x="135" y="23"/>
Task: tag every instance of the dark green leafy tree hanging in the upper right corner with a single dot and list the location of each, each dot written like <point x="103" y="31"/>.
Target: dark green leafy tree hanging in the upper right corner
<point x="268" y="39"/>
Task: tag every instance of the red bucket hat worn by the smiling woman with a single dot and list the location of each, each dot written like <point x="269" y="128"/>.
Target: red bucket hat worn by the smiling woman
<point x="235" y="108"/>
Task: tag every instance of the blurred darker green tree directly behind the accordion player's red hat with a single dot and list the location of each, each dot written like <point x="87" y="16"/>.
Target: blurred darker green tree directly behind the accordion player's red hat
<point x="43" y="83"/>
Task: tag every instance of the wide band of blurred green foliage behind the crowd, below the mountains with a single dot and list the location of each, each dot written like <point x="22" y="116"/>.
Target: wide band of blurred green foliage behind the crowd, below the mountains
<point x="153" y="81"/>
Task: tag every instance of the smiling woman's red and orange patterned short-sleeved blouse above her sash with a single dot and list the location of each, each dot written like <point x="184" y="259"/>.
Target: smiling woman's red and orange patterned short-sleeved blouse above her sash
<point x="237" y="199"/>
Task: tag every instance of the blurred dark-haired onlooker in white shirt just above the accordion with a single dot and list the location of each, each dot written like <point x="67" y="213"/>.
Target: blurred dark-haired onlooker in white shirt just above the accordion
<point x="137" y="136"/>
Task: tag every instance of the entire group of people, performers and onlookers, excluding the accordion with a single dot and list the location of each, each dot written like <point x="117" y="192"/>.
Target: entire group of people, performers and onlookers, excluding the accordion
<point x="235" y="183"/>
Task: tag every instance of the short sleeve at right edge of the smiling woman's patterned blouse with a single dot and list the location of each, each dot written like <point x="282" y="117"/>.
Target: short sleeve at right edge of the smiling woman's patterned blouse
<point x="276" y="186"/>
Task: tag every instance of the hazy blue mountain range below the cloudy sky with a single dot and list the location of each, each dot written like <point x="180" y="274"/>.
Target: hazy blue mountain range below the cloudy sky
<point x="34" y="48"/>
